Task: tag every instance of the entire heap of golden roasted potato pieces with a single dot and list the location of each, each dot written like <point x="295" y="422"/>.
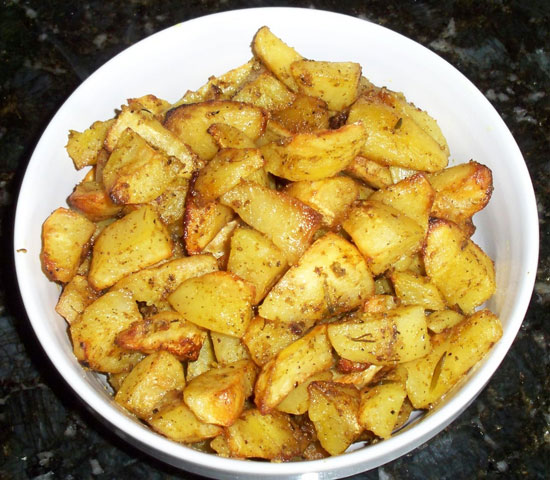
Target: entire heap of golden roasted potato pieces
<point x="277" y="265"/>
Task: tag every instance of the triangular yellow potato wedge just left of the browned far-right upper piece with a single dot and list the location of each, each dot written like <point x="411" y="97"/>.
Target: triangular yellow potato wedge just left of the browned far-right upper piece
<point x="413" y="196"/>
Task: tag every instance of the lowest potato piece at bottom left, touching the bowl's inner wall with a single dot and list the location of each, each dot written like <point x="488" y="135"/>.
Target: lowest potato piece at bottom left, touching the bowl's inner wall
<point x="177" y="422"/>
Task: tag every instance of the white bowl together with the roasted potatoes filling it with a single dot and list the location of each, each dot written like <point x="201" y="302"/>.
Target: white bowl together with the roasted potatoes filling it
<point x="302" y="250"/>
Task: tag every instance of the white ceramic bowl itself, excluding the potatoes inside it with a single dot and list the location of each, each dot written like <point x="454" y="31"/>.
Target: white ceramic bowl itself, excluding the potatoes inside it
<point x="183" y="57"/>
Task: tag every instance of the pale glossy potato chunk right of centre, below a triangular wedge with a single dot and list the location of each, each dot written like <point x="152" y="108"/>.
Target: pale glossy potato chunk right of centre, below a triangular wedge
<point x="382" y="234"/>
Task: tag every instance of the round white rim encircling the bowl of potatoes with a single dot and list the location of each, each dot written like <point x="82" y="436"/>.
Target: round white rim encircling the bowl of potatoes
<point x="346" y="464"/>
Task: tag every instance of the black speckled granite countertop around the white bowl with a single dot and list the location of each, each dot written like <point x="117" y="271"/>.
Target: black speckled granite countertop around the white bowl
<point x="47" y="48"/>
